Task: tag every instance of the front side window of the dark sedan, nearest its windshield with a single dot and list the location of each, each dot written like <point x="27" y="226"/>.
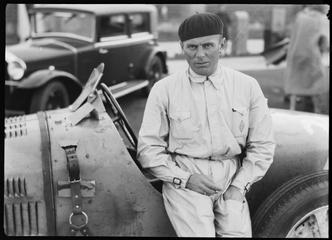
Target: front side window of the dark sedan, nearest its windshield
<point x="111" y="26"/>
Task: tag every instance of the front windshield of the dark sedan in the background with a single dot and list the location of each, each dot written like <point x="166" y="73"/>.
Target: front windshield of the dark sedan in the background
<point x="64" y="23"/>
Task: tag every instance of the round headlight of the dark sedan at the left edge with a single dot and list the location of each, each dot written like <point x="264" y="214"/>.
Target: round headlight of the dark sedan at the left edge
<point x="16" y="67"/>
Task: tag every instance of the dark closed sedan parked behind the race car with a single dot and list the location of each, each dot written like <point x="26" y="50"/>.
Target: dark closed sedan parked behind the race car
<point x="49" y="70"/>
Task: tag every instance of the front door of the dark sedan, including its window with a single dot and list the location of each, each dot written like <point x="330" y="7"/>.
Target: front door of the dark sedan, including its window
<point x="112" y="47"/>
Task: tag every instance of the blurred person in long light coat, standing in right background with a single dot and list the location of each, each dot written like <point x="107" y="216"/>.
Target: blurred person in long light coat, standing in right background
<point x="306" y="74"/>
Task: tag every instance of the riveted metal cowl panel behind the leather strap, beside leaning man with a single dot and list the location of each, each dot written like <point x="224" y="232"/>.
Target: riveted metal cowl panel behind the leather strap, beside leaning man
<point x="124" y="199"/>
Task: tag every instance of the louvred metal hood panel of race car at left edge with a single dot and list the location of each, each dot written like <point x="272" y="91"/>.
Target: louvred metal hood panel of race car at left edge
<point x="24" y="204"/>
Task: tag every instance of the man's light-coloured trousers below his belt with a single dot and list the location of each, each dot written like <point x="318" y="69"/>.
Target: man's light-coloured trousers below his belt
<point x="196" y="215"/>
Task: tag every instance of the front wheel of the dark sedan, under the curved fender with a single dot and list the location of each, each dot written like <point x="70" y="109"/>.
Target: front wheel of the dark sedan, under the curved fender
<point x="54" y="95"/>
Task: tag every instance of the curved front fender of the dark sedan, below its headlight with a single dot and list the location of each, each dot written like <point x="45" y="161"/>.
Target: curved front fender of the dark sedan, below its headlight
<point x="42" y="77"/>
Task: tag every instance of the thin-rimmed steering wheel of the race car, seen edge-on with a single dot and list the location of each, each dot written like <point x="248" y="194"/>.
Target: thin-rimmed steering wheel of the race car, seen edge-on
<point x="119" y="116"/>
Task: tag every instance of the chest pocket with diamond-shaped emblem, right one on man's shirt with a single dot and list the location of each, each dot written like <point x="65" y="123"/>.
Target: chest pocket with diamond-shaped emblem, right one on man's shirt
<point x="240" y="121"/>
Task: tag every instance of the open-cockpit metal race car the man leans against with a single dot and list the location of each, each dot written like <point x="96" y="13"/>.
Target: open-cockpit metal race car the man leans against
<point x="73" y="171"/>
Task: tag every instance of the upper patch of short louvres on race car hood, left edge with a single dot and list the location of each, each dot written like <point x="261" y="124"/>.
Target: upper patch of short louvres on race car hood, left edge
<point x="15" y="127"/>
